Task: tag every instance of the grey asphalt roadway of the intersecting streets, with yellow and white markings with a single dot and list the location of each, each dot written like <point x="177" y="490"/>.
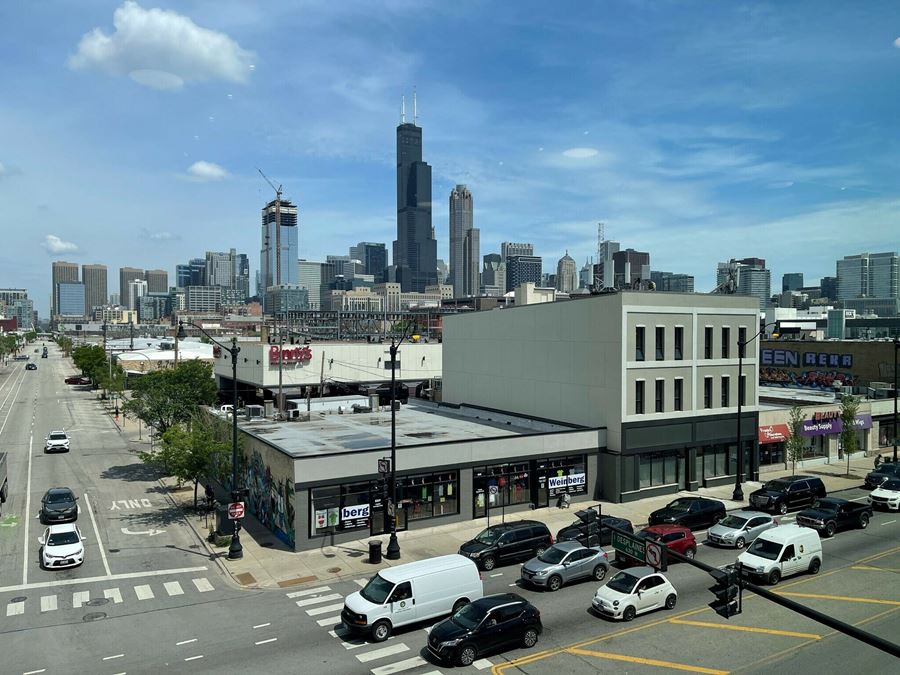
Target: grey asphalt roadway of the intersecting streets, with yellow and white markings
<point x="296" y="630"/>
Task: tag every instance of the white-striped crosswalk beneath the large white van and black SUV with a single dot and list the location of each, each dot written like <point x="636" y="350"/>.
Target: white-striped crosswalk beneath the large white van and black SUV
<point x="395" y="655"/>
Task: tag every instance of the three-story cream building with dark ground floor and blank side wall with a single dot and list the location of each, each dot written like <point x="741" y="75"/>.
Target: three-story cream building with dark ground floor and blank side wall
<point x="658" y="371"/>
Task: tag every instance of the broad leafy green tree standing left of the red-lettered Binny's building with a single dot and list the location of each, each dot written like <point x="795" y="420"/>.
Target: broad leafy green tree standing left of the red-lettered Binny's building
<point x="165" y="398"/>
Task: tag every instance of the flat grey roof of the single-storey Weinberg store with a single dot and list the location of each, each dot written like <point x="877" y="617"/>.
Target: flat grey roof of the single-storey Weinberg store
<point x="417" y="423"/>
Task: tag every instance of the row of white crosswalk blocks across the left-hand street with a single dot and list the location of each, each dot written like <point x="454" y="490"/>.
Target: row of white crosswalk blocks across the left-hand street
<point x="115" y="595"/>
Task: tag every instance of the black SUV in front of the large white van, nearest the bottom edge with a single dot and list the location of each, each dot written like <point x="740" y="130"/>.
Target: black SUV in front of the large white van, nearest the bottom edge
<point x="486" y="625"/>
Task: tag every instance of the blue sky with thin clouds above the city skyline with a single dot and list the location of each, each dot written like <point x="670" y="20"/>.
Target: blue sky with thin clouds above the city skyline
<point x="131" y="133"/>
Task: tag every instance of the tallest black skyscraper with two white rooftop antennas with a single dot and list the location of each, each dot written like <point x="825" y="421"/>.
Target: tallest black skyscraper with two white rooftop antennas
<point x="415" y="249"/>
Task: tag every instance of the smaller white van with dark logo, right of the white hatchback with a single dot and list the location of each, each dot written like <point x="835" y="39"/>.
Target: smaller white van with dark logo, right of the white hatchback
<point x="782" y="551"/>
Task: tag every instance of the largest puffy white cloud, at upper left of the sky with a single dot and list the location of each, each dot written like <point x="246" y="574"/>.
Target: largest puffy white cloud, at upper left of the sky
<point x="161" y="49"/>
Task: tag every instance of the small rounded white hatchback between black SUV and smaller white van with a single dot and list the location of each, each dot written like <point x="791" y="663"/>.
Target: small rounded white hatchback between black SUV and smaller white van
<point x="632" y="592"/>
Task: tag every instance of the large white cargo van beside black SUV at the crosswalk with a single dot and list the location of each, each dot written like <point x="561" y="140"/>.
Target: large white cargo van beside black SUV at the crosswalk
<point x="416" y="591"/>
